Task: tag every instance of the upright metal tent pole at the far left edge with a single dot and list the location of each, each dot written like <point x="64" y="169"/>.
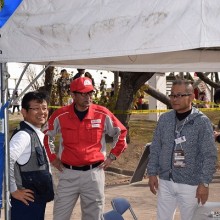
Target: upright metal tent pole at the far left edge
<point x="4" y="99"/>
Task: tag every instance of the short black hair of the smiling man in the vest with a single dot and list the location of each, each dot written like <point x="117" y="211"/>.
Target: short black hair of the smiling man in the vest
<point x="34" y="95"/>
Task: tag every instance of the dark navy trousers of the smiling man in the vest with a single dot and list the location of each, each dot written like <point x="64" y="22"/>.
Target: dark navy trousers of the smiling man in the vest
<point x="20" y="211"/>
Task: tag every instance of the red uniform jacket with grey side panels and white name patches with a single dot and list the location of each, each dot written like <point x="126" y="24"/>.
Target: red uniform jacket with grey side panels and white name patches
<point x="83" y="142"/>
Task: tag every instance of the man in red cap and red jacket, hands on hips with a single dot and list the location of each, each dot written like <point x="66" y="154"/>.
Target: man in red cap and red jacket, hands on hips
<point x="81" y="159"/>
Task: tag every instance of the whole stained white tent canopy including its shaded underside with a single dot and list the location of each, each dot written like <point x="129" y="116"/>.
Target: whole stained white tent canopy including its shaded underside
<point x="115" y="34"/>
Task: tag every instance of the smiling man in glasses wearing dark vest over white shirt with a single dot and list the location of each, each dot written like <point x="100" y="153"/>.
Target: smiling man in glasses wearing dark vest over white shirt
<point x="31" y="184"/>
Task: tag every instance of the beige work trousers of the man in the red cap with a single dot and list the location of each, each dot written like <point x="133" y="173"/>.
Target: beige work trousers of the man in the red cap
<point x="88" y="185"/>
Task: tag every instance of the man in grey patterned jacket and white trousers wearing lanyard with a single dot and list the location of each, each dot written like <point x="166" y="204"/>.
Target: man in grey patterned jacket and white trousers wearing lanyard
<point x="183" y="154"/>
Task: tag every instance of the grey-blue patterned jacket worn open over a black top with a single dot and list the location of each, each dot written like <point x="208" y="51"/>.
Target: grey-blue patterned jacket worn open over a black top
<point x="199" y="148"/>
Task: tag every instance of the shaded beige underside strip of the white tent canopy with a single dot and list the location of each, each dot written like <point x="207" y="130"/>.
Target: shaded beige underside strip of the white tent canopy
<point x="189" y="60"/>
